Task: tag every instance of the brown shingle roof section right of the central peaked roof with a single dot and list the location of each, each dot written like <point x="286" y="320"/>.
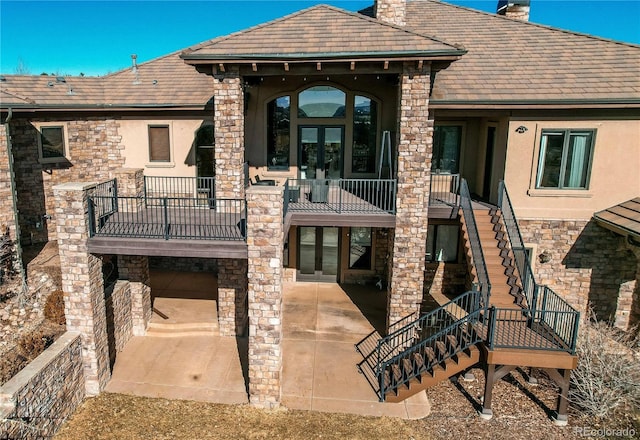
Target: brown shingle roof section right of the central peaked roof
<point x="514" y="61"/>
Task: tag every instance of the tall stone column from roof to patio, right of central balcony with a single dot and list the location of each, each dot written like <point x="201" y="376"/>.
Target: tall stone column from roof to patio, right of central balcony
<point x="414" y="166"/>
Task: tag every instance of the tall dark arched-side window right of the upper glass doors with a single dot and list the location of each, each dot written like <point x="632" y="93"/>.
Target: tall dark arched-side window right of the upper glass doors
<point x="365" y="121"/>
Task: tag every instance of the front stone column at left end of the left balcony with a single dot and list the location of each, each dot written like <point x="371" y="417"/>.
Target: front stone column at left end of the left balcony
<point x="82" y="283"/>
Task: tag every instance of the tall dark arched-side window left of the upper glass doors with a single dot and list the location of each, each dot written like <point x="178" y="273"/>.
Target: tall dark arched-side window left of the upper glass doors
<point x="278" y="133"/>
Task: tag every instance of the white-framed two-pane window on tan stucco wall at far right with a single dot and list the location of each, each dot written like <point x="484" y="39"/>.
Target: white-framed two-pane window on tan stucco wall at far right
<point x="565" y="159"/>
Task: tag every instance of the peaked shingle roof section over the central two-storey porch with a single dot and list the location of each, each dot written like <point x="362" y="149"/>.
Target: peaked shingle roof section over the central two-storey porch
<point x="320" y="31"/>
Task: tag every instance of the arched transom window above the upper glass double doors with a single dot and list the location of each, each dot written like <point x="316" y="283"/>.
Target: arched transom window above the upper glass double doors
<point x="321" y="102"/>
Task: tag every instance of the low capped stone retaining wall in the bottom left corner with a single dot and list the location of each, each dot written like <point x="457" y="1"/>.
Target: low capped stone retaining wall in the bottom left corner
<point x="38" y="400"/>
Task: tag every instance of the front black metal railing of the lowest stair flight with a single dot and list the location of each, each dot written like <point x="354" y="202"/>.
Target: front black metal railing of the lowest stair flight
<point x="428" y="341"/>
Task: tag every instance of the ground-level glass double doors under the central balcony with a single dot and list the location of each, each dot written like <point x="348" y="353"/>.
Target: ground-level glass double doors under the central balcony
<point x="318" y="253"/>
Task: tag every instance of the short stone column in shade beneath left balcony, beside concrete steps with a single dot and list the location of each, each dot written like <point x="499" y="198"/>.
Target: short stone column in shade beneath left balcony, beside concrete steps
<point x="135" y="268"/>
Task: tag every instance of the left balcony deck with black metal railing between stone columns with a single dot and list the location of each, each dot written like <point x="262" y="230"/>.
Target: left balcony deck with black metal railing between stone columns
<point x="181" y="227"/>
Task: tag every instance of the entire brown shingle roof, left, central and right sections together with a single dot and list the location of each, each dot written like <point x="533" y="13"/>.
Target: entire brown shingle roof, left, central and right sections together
<point x="508" y="63"/>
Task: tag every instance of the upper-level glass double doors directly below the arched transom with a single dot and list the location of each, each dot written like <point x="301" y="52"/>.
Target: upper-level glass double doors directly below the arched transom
<point x="321" y="151"/>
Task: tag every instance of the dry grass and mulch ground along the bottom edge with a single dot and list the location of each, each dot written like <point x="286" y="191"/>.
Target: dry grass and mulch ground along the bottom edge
<point x="520" y="412"/>
